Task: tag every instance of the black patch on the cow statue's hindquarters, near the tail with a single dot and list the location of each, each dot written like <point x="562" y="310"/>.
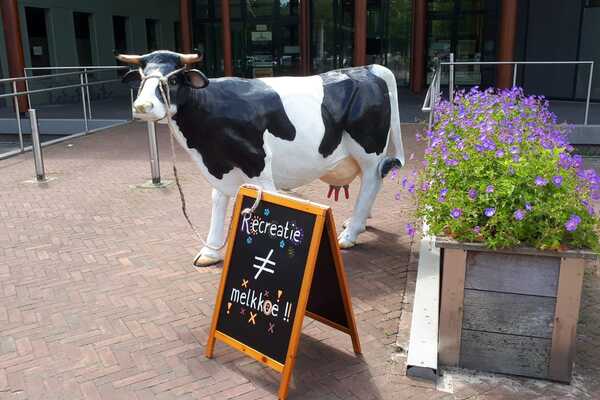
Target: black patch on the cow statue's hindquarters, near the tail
<point x="357" y="101"/>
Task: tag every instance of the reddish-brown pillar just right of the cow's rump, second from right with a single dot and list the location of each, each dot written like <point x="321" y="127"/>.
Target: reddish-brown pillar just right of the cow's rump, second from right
<point x="419" y="46"/>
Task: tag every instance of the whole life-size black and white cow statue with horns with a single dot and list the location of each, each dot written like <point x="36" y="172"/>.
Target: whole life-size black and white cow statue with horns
<point x="277" y="133"/>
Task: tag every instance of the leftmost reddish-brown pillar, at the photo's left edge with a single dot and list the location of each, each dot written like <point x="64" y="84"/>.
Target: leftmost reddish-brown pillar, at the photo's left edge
<point x="14" y="46"/>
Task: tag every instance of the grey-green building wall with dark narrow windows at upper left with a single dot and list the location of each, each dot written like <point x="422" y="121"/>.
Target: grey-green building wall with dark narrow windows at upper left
<point x="85" y="32"/>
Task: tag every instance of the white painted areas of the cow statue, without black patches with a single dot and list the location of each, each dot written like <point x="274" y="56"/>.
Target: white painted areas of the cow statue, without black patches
<point x="293" y="163"/>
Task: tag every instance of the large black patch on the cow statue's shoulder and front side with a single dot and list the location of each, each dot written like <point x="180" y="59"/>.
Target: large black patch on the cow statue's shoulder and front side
<point x="226" y="122"/>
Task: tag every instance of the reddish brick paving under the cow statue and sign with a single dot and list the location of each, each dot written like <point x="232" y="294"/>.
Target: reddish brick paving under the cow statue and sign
<point x="98" y="298"/>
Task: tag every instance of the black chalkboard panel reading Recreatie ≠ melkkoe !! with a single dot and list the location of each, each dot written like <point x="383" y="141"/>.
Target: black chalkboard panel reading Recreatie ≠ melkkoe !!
<point x="266" y="269"/>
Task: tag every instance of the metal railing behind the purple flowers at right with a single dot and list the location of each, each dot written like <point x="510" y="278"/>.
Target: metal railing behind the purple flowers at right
<point x="434" y="92"/>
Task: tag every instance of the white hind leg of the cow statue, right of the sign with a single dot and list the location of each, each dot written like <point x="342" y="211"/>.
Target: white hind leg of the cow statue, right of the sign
<point x="369" y="187"/>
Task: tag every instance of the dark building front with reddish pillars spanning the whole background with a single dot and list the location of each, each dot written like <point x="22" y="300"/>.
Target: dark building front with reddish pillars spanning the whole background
<point x="254" y="38"/>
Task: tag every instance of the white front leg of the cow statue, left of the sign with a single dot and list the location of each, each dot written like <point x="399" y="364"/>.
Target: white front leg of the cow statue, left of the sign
<point x="211" y="253"/>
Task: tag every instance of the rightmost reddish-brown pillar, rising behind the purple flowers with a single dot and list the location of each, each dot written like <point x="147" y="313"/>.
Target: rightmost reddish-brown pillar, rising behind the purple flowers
<point x="506" y="42"/>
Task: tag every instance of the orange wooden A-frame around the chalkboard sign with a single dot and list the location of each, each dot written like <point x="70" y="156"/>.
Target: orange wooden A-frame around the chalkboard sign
<point x="324" y="224"/>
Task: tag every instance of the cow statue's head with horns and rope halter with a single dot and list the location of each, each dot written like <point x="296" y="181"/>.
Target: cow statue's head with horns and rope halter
<point x="154" y="68"/>
